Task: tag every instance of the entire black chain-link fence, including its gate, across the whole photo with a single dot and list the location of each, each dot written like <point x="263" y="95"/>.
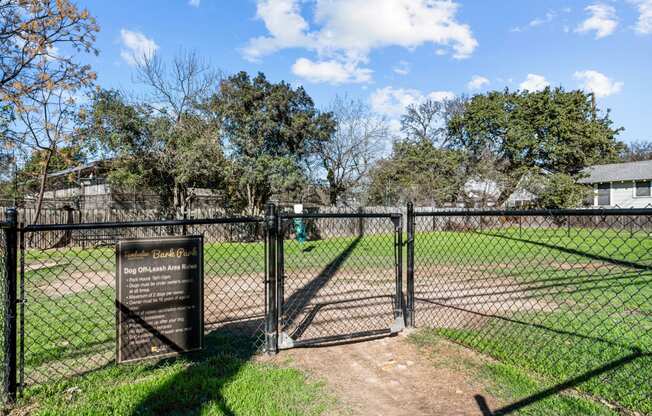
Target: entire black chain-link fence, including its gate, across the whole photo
<point x="566" y="295"/>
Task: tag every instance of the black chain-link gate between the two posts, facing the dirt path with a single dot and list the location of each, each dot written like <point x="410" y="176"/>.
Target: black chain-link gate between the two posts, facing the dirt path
<point x="344" y="282"/>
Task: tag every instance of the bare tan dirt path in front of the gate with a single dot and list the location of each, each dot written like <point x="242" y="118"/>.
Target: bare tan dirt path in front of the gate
<point x="390" y="376"/>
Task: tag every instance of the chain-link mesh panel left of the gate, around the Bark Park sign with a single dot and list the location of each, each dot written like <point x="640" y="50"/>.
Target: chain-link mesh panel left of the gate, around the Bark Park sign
<point x="69" y="292"/>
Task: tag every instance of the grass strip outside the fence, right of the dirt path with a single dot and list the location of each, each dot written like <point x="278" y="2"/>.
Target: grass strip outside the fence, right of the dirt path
<point x="512" y="385"/>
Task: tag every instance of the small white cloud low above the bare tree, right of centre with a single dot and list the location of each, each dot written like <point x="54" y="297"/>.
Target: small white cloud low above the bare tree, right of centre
<point x="392" y="102"/>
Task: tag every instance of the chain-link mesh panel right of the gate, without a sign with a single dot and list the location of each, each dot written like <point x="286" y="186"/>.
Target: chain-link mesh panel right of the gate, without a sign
<point x="568" y="297"/>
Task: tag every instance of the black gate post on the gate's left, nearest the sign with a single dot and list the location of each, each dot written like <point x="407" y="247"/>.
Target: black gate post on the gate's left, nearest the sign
<point x="271" y="301"/>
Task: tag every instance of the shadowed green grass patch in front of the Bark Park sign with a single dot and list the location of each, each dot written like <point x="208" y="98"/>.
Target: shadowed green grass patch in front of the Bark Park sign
<point x="220" y="381"/>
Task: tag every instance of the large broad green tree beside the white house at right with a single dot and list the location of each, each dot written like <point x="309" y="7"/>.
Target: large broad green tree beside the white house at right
<point x="552" y="130"/>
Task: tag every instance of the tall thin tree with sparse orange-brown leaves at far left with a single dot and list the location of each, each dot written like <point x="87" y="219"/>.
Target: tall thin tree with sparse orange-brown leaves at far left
<point x="39" y="75"/>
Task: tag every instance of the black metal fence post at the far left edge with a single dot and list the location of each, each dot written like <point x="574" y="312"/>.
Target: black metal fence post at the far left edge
<point x="10" y="299"/>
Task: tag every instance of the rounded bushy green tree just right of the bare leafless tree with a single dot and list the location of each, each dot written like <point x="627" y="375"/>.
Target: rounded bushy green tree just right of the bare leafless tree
<point x="419" y="172"/>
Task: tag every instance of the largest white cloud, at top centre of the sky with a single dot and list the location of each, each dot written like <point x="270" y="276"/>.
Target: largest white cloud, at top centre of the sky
<point x="346" y="31"/>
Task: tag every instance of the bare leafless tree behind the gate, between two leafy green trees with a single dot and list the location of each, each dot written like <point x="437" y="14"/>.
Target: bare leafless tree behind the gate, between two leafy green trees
<point x="357" y="141"/>
